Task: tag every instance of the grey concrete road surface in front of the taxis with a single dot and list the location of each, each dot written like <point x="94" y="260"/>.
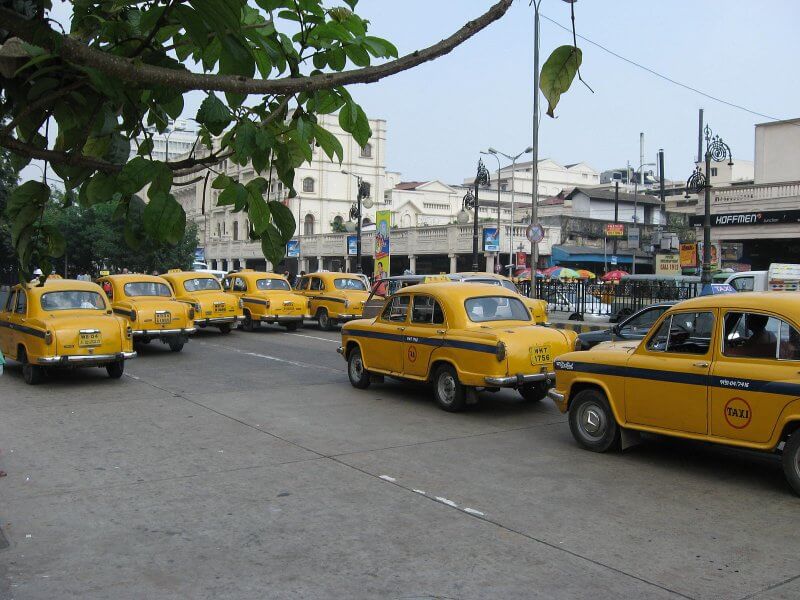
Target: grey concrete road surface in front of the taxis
<point x="247" y="467"/>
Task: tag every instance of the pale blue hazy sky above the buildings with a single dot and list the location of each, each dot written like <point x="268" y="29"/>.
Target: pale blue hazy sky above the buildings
<point x="440" y="115"/>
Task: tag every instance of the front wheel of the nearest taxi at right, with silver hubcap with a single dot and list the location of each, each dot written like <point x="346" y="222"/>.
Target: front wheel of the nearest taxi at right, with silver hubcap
<point x="592" y="422"/>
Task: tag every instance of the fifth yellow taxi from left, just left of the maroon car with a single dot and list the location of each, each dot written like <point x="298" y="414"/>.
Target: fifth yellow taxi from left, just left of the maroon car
<point x="334" y="297"/>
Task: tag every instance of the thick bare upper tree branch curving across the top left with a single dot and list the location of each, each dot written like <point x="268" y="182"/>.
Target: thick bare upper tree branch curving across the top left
<point x="39" y="33"/>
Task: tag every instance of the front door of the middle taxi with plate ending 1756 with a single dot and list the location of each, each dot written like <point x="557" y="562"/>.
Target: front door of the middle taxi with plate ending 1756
<point x="385" y="341"/>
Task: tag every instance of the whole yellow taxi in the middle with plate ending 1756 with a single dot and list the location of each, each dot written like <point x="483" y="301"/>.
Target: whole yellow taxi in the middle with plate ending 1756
<point x="460" y="338"/>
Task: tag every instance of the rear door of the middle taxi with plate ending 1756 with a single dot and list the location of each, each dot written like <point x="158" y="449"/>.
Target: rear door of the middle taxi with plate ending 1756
<point x="424" y="333"/>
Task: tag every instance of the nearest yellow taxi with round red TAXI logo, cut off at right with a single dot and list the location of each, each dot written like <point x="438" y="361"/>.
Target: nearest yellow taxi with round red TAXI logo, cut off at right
<point x="722" y="369"/>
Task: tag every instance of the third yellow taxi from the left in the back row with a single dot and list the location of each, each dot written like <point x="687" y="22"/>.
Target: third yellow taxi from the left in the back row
<point x="212" y="306"/>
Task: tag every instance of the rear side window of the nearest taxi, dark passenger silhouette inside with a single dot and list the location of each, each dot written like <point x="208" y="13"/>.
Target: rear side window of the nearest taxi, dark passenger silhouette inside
<point x="752" y="335"/>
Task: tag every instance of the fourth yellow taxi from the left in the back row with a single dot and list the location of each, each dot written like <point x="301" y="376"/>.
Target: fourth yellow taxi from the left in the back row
<point x="267" y="298"/>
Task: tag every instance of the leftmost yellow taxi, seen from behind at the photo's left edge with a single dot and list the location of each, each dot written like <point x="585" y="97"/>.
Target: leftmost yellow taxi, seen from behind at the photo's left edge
<point x="66" y="324"/>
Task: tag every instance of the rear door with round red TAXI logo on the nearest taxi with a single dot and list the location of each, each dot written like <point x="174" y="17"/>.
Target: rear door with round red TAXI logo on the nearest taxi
<point x="754" y="376"/>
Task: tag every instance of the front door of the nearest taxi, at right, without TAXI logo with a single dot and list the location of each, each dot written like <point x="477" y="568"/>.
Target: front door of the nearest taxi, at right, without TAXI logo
<point x="666" y="378"/>
